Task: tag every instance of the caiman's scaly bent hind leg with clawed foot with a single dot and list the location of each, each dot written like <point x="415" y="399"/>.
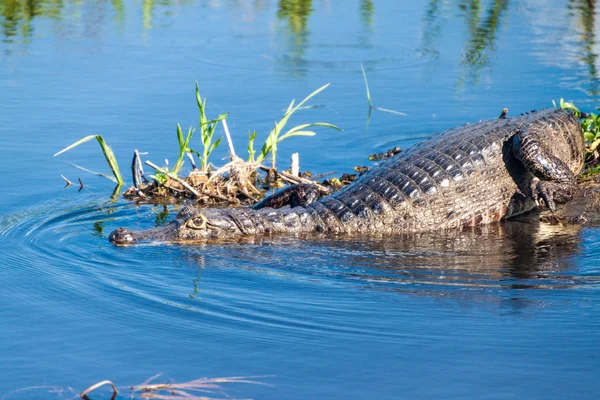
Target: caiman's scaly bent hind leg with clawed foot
<point x="553" y="181"/>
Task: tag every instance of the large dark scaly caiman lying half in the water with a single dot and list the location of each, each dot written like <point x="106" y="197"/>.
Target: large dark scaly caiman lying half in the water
<point x="467" y="176"/>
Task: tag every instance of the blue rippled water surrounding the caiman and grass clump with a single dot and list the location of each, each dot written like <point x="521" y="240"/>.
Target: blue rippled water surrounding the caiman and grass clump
<point x="508" y="311"/>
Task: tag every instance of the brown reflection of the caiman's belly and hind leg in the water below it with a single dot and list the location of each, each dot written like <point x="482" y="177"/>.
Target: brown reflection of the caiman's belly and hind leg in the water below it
<point x="509" y="255"/>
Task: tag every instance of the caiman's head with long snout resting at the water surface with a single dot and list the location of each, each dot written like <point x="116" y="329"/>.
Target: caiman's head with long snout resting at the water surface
<point x="190" y="225"/>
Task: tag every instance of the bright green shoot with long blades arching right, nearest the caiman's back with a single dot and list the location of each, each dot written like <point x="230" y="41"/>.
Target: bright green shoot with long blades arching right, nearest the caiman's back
<point x="275" y="136"/>
